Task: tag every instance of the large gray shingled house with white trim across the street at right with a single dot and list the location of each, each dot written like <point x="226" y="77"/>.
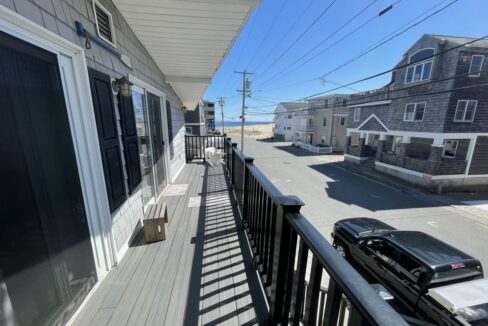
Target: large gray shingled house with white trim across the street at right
<point x="429" y="124"/>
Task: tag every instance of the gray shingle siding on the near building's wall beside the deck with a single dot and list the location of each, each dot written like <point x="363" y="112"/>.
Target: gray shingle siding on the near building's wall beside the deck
<point x="58" y="16"/>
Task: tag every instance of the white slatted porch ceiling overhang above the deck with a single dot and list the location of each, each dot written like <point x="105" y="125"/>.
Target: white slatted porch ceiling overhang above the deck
<point x="188" y="39"/>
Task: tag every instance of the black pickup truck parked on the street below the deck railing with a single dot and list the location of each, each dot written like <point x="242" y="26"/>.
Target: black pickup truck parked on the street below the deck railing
<point x="406" y="263"/>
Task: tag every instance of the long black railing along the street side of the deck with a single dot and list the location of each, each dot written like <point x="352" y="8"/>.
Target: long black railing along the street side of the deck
<point x="291" y="255"/>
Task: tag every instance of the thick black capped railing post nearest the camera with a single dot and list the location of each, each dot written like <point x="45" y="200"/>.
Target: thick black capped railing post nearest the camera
<point x="281" y="262"/>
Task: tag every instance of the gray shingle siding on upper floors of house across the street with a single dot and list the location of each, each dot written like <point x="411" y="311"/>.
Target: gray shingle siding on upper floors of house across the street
<point x="440" y="108"/>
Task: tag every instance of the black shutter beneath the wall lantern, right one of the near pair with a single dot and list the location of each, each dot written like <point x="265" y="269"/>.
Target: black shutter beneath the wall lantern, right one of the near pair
<point x="131" y="147"/>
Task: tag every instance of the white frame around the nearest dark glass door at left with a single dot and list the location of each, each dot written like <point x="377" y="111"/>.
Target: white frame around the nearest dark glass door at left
<point x="74" y="75"/>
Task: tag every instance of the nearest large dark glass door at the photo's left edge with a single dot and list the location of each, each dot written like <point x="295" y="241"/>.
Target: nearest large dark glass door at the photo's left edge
<point x="46" y="261"/>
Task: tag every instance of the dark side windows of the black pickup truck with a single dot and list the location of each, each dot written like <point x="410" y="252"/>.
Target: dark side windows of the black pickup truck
<point x="396" y="260"/>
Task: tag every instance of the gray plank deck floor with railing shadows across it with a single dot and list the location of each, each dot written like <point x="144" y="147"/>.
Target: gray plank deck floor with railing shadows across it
<point x="198" y="276"/>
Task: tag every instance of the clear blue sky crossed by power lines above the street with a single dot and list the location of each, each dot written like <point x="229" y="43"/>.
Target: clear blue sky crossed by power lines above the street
<point x="276" y="24"/>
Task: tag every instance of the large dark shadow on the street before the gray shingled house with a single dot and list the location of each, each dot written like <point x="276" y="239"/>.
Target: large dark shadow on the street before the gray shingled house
<point x="352" y="189"/>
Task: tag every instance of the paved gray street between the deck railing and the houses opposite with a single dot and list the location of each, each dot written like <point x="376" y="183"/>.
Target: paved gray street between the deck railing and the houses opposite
<point x="331" y="193"/>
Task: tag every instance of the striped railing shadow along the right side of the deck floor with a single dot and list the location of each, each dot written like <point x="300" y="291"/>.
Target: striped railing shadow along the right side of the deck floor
<point x="222" y="284"/>
